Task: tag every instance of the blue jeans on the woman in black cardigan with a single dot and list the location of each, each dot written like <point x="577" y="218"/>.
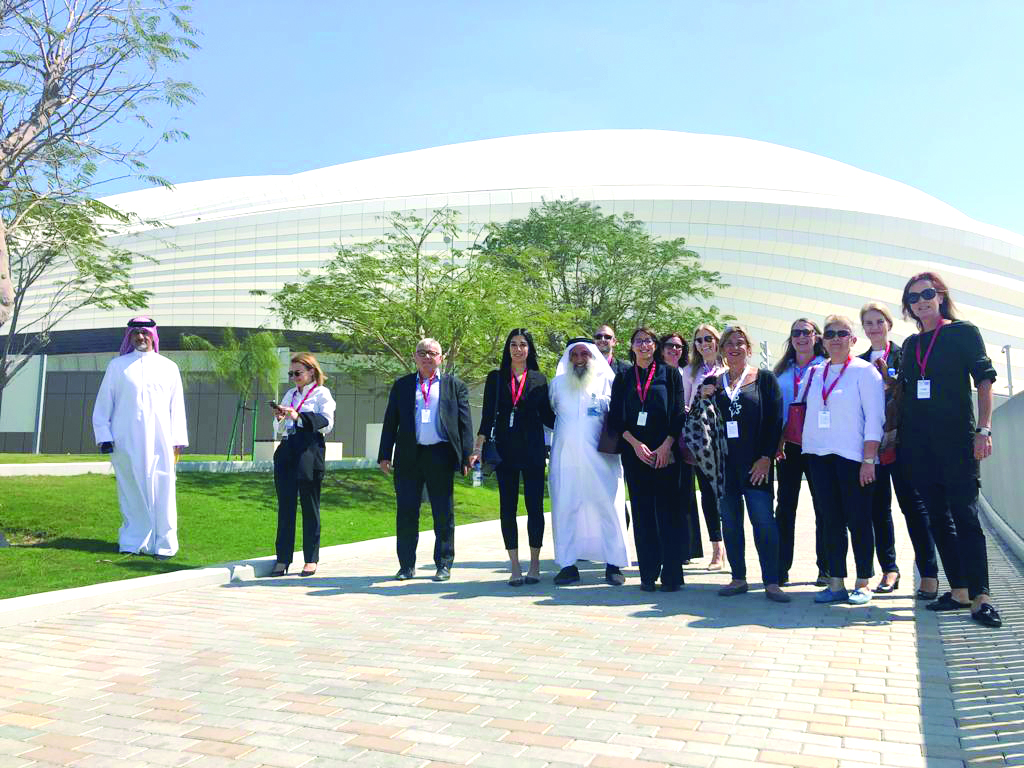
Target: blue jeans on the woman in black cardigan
<point x="759" y="505"/>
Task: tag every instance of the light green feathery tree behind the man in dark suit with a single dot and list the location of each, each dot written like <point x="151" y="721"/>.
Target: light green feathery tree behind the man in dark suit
<point x="380" y="298"/>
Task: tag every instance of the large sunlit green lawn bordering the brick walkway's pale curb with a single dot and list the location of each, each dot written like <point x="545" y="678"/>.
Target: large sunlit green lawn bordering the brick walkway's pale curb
<point x="64" y="530"/>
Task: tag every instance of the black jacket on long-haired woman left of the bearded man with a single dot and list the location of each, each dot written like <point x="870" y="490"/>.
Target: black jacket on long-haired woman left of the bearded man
<point x="522" y="446"/>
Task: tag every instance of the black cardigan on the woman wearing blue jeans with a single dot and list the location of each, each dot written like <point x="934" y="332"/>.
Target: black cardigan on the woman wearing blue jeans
<point x="760" y="422"/>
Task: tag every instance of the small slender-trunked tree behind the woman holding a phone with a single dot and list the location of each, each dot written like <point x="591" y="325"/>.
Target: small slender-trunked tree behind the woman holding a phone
<point x="250" y="366"/>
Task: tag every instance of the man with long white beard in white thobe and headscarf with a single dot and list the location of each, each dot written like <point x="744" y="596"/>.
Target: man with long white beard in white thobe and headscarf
<point x="588" y="497"/>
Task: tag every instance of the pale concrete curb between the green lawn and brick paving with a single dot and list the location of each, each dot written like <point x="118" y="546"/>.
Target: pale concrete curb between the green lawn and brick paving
<point x="28" y="609"/>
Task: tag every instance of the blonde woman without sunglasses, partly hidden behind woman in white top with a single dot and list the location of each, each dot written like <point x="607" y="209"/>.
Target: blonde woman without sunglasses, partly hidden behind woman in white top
<point x="886" y="356"/>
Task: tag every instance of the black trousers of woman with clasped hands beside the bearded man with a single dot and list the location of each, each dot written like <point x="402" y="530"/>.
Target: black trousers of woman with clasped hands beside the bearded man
<point x="659" y="527"/>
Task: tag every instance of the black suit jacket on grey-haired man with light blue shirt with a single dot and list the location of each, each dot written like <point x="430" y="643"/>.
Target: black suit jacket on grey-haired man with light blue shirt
<point x="399" y="432"/>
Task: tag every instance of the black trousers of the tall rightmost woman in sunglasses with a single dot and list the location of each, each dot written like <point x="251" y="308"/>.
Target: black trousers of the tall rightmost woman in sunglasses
<point x="954" y="516"/>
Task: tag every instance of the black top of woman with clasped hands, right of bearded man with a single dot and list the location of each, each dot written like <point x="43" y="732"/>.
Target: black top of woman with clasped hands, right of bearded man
<point x="665" y="405"/>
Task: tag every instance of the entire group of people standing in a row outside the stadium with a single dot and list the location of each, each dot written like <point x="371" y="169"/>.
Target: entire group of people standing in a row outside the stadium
<point x="688" y="412"/>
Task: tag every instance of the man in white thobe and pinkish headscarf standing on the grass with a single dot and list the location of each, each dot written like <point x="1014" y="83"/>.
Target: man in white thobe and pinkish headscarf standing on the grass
<point x="140" y="420"/>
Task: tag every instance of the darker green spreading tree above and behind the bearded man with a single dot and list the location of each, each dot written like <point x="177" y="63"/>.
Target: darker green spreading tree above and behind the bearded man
<point x="595" y="269"/>
